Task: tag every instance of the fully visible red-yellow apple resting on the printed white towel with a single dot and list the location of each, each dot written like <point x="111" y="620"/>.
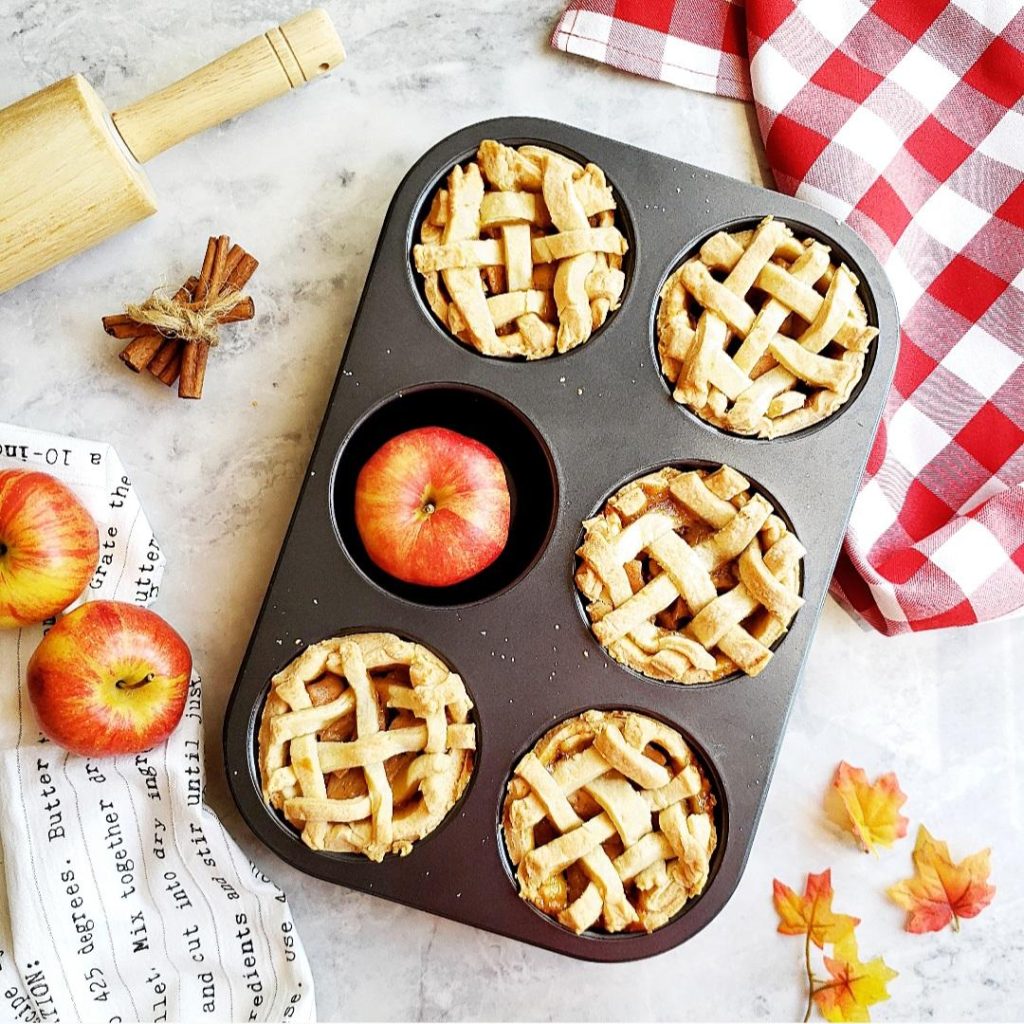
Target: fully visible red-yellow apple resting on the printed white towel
<point x="110" y="678"/>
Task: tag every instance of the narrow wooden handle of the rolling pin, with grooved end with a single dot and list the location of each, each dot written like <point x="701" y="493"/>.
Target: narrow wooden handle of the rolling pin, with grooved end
<point x="266" y="67"/>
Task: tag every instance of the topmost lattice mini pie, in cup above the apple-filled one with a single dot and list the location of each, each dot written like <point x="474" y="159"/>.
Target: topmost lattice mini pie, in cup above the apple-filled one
<point x="521" y="254"/>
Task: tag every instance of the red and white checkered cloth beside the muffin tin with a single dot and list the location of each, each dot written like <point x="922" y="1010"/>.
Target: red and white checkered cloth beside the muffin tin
<point x="905" y="119"/>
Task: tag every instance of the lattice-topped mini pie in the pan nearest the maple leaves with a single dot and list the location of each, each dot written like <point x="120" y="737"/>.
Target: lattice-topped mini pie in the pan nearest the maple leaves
<point x="610" y="824"/>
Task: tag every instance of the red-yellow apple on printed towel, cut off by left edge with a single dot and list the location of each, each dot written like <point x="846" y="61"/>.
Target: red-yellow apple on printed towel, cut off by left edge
<point x="50" y="547"/>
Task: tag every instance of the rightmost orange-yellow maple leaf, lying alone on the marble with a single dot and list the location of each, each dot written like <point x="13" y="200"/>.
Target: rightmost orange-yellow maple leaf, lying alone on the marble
<point x="941" y="891"/>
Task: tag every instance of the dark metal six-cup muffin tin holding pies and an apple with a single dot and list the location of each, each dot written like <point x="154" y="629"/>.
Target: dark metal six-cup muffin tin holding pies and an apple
<point x="571" y="431"/>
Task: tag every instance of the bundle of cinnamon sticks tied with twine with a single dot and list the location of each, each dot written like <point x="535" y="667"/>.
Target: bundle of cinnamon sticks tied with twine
<point x="173" y="337"/>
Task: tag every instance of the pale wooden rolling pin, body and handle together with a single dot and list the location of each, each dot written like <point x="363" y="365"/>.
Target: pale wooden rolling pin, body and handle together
<point x="71" y="175"/>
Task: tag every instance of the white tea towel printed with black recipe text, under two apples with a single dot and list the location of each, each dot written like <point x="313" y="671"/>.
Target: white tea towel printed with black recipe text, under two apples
<point x="122" y="898"/>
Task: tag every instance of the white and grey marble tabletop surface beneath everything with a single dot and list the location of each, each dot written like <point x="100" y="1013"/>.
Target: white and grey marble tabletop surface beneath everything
<point x="305" y="185"/>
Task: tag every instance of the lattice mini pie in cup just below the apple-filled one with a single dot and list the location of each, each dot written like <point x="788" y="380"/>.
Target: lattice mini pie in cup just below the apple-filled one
<point x="366" y="744"/>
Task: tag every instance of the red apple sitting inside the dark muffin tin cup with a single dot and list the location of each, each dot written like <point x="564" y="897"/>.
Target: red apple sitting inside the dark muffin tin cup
<point x="433" y="507"/>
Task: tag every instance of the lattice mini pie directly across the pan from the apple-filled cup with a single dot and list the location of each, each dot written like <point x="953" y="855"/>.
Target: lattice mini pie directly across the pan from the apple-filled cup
<point x="690" y="577"/>
